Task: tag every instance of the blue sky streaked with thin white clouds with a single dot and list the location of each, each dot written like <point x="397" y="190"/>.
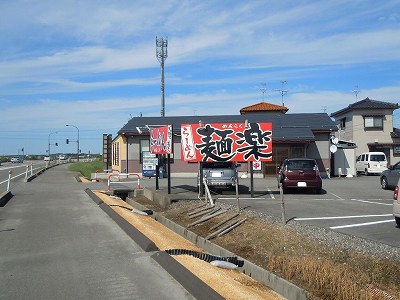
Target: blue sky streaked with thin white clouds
<point x="93" y="64"/>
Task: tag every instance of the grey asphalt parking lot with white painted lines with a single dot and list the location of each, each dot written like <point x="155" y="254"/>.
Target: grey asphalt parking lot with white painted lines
<point x="357" y="206"/>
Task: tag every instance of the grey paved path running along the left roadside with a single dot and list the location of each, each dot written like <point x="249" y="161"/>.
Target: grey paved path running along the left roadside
<point x="56" y="243"/>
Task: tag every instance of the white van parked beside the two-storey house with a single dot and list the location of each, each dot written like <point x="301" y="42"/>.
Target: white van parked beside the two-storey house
<point x="371" y="163"/>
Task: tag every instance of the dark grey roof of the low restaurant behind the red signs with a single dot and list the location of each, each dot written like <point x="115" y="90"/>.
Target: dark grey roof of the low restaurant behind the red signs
<point x="285" y="127"/>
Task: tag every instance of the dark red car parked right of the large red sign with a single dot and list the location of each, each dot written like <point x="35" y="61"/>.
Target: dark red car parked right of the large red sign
<point x="299" y="173"/>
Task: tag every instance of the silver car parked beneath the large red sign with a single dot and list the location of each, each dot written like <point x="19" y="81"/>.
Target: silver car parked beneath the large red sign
<point x="219" y="174"/>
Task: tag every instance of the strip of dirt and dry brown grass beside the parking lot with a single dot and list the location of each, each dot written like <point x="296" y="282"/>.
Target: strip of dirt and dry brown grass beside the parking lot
<point x="326" y="272"/>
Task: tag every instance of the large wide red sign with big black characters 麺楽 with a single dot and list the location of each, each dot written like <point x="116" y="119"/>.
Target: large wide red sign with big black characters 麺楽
<point x="227" y="142"/>
